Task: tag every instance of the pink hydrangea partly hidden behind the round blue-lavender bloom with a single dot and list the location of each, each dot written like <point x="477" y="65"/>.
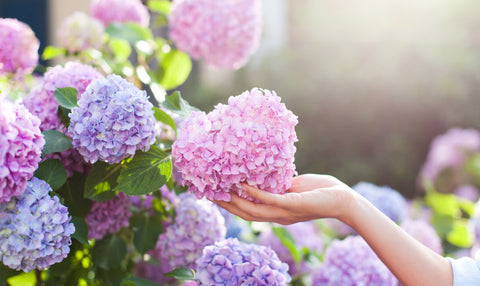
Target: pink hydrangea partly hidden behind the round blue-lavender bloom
<point x="41" y="101"/>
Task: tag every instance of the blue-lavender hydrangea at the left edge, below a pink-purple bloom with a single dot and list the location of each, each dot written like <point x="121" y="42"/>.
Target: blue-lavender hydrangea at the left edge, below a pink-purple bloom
<point x="35" y="229"/>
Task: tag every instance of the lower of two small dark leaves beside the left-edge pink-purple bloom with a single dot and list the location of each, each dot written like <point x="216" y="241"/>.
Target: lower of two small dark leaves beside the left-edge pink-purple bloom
<point x="52" y="172"/>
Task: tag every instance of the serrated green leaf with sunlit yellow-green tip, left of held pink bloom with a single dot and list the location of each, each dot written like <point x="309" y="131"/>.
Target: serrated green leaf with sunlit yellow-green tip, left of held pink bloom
<point x="145" y="173"/>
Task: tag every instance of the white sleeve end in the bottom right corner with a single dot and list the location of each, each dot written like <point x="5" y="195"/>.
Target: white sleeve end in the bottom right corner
<point x="466" y="271"/>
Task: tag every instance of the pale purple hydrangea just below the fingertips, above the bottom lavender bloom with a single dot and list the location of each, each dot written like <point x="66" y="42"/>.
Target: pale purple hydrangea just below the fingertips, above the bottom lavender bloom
<point x="197" y="223"/>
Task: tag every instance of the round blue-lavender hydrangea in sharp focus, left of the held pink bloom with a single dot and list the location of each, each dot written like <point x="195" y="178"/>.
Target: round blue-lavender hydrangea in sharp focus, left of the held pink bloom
<point x="113" y="120"/>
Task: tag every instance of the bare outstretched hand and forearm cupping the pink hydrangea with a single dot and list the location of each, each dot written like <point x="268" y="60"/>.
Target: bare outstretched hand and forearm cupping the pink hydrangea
<point x="313" y="196"/>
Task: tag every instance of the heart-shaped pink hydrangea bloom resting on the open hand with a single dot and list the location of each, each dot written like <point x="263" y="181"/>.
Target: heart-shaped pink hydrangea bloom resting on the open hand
<point x="251" y="139"/>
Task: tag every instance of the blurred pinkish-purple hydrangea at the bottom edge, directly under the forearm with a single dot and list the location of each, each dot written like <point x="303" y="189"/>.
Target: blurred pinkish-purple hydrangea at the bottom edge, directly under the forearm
<point x="352" y="262"/>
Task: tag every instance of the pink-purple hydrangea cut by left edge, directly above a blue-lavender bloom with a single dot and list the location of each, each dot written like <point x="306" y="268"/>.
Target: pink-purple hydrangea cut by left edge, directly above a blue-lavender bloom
<point x="21" y="144"/>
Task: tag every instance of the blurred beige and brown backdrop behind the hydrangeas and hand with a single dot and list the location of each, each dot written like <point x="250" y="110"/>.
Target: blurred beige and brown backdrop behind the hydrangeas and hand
<point x="372" y="82"/>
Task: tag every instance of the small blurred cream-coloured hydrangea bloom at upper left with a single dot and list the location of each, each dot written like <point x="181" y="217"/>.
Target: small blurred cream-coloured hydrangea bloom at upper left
<point x="80" y="32"/>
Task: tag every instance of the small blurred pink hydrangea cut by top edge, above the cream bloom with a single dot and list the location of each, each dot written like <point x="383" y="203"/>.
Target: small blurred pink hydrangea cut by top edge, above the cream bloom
<point x="124" y="11"/>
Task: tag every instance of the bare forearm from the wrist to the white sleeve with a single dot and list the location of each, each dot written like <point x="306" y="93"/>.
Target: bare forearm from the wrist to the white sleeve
<point x="409" y="260"/>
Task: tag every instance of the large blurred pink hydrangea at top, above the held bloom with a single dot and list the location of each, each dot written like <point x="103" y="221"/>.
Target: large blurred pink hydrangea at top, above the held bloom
<point x="222" y="33"/>
